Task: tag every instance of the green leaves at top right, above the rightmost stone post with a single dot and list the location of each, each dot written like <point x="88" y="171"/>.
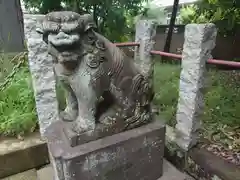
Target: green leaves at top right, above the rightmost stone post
<point x="224" y="13"/>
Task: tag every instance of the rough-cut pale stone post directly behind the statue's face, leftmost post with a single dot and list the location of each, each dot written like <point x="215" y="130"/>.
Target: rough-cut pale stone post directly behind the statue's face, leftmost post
<point x="43" y="78"/>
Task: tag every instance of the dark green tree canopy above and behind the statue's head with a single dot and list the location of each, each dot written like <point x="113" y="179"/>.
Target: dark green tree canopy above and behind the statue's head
<point x="110" y="15"/>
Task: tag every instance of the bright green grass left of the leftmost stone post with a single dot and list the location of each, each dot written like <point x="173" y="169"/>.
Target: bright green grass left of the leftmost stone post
<point x="17" y="105"/>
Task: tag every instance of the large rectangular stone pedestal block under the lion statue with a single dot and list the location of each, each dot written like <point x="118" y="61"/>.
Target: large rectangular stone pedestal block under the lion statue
<point x="130" y="155"/>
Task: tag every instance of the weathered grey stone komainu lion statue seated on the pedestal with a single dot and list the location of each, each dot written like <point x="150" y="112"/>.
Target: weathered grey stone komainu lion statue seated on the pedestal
<point x="102" y="84"/>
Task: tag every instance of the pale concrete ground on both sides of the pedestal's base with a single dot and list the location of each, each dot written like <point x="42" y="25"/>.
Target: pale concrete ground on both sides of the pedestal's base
<point x="170" y="173"/>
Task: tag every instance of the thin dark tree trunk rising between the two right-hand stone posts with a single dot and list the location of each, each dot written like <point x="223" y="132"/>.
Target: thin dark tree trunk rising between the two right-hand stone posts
<point x="171" y="26"/>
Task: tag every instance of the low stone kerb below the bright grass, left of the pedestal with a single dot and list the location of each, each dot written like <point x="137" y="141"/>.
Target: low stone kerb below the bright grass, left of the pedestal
<point x="17" y="156"/>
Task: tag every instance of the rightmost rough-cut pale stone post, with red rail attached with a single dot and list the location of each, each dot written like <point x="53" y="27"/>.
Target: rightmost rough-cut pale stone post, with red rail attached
<point x="199" y="42"/>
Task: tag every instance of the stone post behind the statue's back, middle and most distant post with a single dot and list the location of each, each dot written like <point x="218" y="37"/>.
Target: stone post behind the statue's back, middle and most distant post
<point x="145" y="33"/>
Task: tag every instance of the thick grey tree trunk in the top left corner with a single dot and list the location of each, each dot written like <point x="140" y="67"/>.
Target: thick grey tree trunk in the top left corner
<point x="11" y="26"/>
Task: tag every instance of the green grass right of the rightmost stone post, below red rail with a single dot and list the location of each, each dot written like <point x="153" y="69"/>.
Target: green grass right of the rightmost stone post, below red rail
<point x="223" y="99"/>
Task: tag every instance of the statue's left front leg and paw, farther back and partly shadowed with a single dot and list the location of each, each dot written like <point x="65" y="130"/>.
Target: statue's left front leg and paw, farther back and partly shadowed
<point x="71" y="111"/>
